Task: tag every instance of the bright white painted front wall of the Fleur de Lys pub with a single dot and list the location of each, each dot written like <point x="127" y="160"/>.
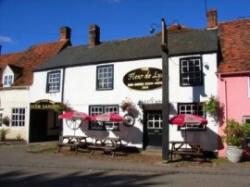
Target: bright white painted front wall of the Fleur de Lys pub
<point x="80" y="92"/>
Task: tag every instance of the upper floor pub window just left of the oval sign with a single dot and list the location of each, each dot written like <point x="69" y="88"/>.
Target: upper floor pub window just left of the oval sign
<point x="104" y="77"/>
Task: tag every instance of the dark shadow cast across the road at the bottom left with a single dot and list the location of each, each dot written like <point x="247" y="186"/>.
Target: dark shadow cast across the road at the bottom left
<point x="21" y="178"/>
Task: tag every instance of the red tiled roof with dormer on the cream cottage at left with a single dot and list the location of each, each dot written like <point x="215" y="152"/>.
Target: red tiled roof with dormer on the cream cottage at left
<point x="28" y="60"/>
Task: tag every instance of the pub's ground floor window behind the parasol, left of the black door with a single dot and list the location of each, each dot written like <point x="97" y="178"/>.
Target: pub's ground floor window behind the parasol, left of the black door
<point x="100" y="109"/>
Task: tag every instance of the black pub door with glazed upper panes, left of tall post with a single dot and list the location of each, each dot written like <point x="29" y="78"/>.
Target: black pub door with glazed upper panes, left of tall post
<point x="153" y="128"/>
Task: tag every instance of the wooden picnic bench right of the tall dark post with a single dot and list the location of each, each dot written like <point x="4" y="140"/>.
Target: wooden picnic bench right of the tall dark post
<point x="185" y="149"/>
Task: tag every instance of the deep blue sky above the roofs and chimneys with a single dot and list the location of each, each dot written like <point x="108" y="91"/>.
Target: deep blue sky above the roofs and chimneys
<point x="24" y="23"/>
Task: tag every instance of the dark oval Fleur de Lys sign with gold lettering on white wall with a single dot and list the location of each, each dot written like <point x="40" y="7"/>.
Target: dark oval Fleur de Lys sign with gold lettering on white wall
<point x="143" y="78"/>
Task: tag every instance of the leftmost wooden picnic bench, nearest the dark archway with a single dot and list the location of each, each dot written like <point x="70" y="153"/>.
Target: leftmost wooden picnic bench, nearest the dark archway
<point x="74" y="142"/>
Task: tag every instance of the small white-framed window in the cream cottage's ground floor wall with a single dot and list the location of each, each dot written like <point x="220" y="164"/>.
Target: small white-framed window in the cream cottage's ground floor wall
<point x="18" y="117"/>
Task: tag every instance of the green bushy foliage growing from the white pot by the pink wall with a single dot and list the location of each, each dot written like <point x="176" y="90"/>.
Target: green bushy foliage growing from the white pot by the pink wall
<point x="235" y="133"/>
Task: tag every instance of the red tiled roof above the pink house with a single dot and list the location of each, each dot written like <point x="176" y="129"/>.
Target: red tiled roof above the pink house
<point x="234" y="39"/>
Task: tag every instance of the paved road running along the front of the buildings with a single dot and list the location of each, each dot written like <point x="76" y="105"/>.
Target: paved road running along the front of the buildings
<point x="19" y="168"/>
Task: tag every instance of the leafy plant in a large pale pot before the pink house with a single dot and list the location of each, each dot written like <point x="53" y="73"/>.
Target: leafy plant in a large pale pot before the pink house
<point x="235" y="137"/>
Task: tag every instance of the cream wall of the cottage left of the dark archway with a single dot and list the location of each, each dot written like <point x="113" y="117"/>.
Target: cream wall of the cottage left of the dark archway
<point x="15" y="98"/>
